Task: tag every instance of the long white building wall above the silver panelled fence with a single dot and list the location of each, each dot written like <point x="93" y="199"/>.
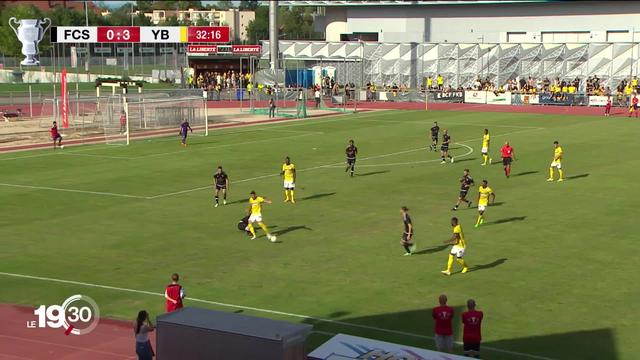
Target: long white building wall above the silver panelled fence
<point x="552" y="22"/>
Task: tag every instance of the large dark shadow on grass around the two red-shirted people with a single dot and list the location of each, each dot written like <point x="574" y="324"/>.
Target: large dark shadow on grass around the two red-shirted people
<point x="415" y="328"/>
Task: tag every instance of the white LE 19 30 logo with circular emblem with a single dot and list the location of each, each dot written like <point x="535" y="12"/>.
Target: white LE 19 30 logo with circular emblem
<point x="77" y="315"/>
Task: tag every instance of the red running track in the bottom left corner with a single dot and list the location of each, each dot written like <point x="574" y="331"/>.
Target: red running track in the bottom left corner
<point x="110" y="340"/>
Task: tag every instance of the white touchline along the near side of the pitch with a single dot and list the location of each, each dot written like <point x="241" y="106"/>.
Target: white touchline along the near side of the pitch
<point x="251" y="308"/>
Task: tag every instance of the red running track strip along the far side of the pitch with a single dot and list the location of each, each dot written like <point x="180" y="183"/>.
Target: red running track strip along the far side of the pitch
<point x="534" y="109"/>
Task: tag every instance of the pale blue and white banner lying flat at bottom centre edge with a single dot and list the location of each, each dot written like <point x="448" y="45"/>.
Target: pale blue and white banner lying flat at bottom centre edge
<point x="347" y="347"/>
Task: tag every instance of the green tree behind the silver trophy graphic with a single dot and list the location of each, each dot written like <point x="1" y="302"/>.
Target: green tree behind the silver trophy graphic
<point x="9" y="43"/>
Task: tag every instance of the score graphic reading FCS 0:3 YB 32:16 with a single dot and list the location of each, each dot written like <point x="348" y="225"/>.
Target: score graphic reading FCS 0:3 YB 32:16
<point x="140" y="34"/>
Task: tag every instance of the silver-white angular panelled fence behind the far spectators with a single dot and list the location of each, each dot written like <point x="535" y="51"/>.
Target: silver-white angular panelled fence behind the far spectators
<point x="460" y="64"/>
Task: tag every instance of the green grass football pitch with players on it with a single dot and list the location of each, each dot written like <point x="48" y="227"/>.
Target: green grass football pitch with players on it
<point x="553" y="268"/>
